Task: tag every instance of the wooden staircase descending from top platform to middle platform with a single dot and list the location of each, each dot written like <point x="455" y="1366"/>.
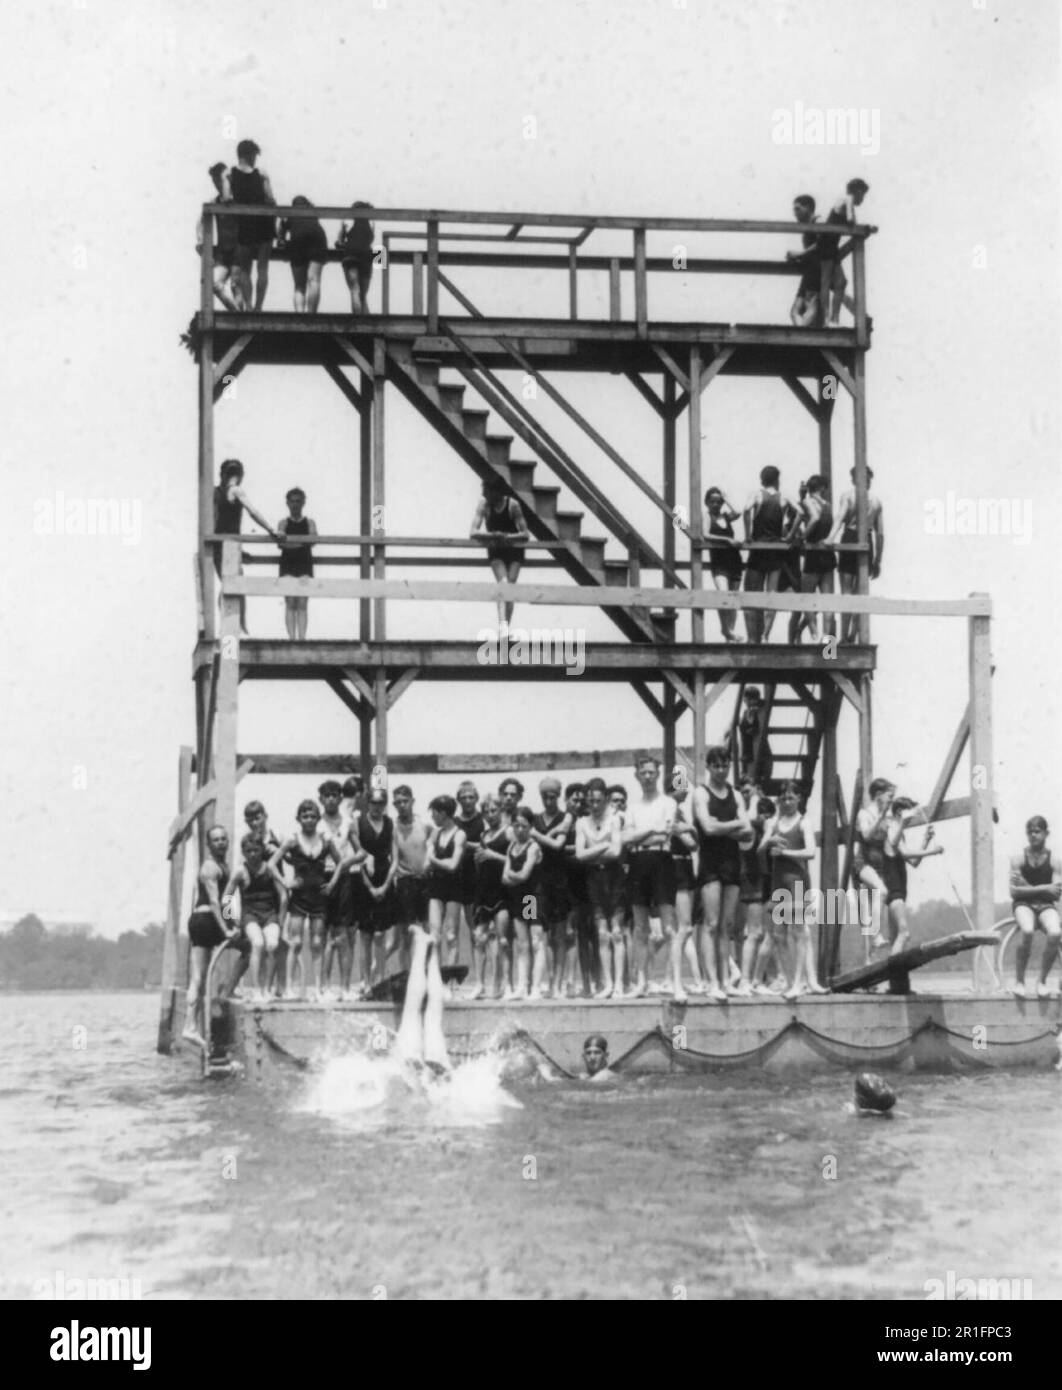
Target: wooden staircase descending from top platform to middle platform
<point x="468" y="429"/>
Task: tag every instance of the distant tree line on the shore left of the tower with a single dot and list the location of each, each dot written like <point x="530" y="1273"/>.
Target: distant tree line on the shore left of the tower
<point x="37" y="958"/>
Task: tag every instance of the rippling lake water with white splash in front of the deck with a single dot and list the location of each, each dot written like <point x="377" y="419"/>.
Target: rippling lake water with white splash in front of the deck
<point x="117" y="1164"/>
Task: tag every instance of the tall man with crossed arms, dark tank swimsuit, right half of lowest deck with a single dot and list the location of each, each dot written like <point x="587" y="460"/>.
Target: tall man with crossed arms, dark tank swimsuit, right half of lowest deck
<point x="722" y="825"/>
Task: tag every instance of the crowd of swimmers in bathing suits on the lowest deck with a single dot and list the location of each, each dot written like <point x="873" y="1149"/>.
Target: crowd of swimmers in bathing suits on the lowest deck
<point x="699" y="890"/>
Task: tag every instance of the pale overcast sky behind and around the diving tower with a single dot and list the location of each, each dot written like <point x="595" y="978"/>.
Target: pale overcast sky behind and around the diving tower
<point x="112" y="115"/>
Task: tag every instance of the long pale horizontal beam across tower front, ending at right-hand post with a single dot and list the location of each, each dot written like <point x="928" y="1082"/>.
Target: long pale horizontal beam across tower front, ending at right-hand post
<point x="603" y="596"/>
